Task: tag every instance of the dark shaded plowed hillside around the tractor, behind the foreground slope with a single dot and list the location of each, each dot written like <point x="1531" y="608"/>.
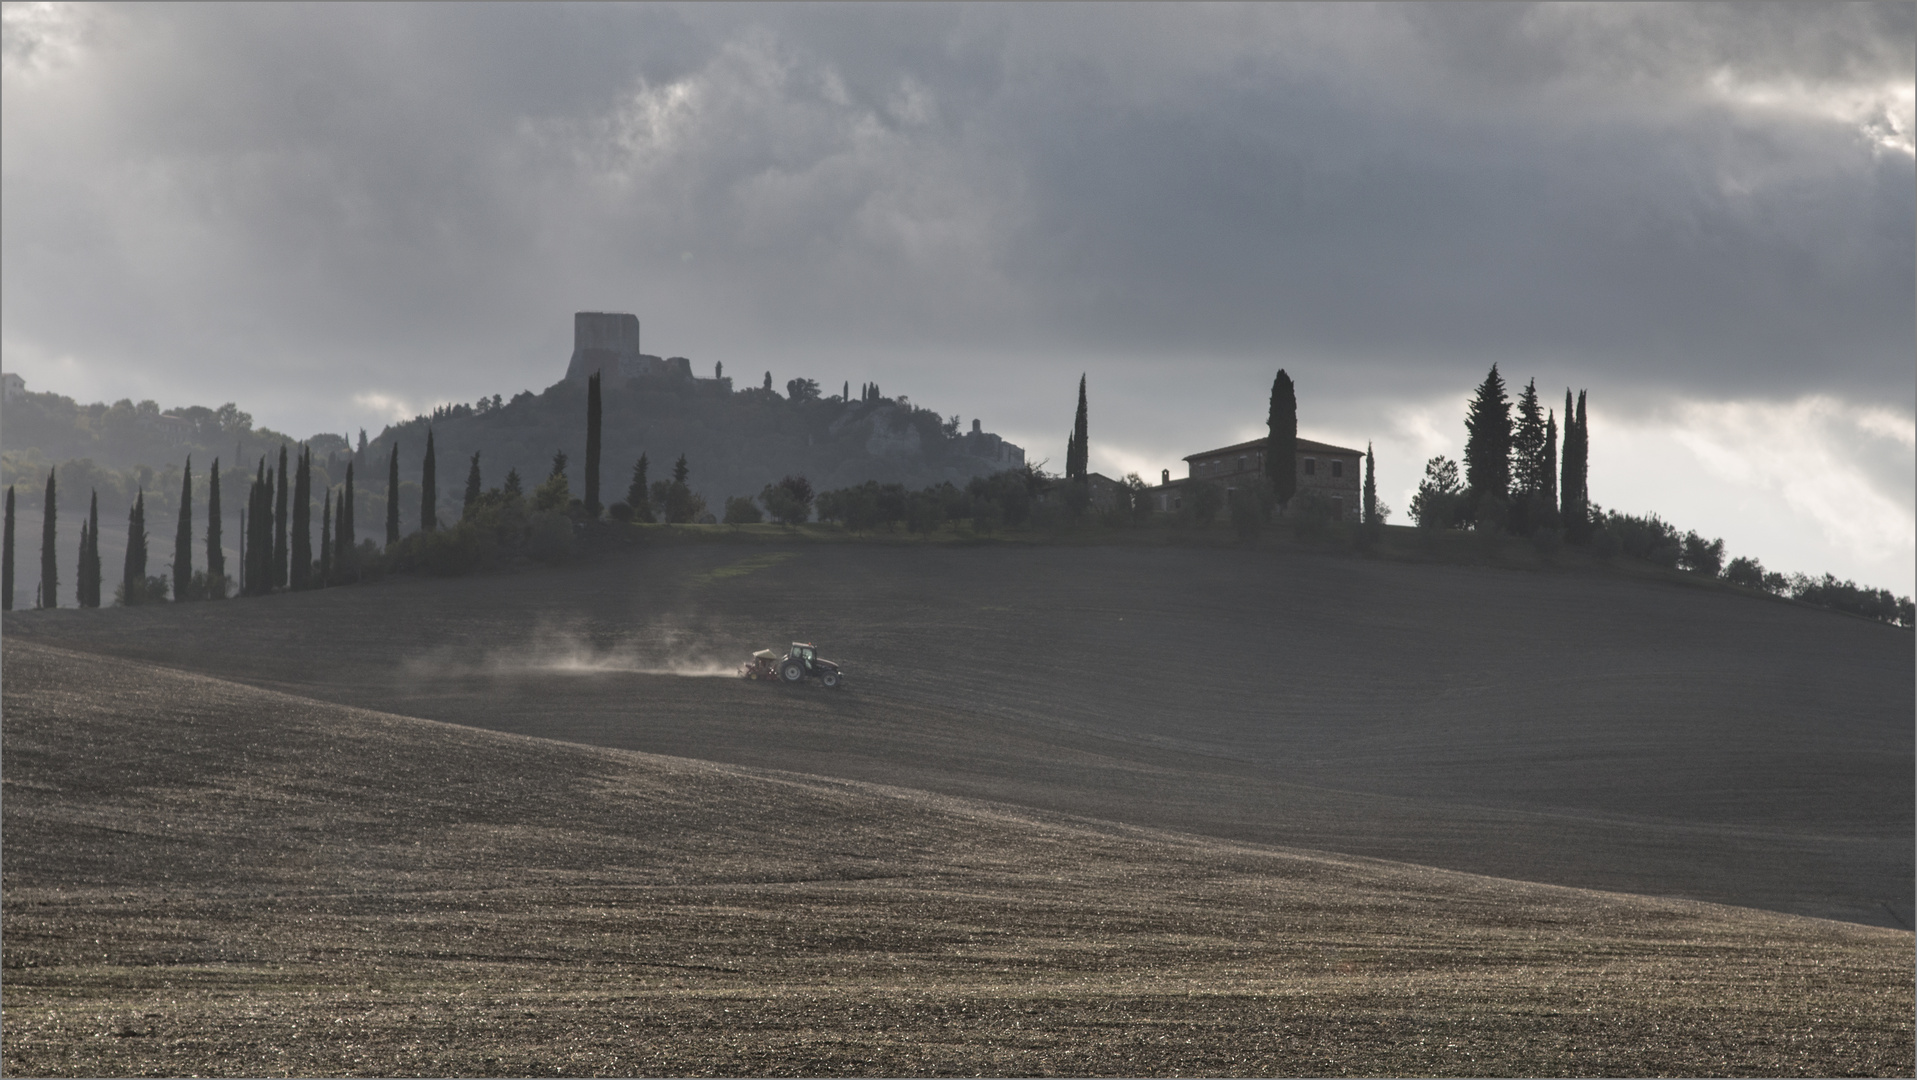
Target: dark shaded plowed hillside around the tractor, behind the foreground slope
<point x="1548" y="726"/>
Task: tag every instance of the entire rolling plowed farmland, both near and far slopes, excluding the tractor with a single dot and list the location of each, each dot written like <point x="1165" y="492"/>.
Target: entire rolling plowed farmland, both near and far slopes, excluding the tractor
<point x="283" y="872"/>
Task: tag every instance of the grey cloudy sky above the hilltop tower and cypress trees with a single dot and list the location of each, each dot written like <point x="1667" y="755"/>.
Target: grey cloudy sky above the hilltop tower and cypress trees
<point x="1705" y="216"/>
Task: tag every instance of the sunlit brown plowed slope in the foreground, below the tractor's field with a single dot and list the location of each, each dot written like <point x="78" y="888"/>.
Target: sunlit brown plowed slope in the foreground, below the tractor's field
<point x="218" y="880"/>
